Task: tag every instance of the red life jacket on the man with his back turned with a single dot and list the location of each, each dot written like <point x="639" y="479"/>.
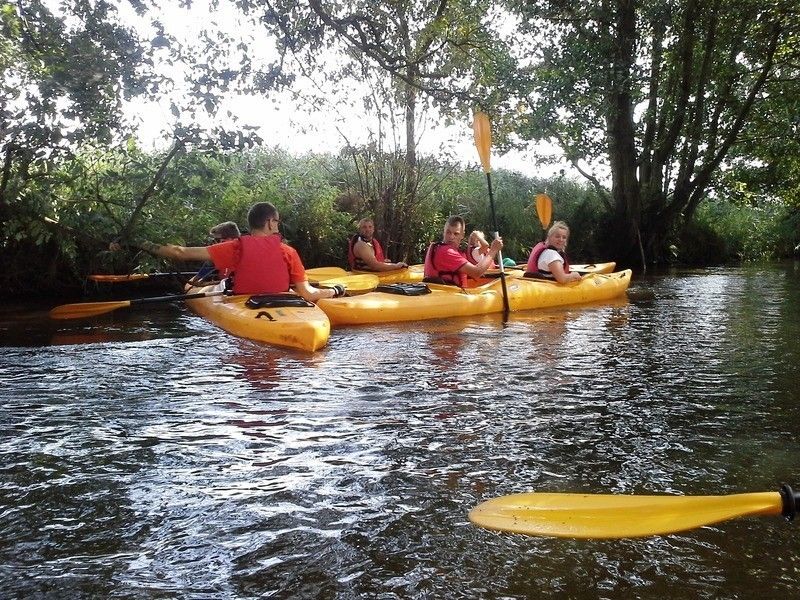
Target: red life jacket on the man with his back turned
<point x="262" y="267"/>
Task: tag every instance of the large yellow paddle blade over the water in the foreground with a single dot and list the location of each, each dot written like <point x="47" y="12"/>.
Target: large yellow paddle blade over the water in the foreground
<point x="590" y="516"/>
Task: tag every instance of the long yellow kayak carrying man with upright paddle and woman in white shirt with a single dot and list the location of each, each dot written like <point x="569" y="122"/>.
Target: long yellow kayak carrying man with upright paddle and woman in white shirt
<point x="445" y="301"/>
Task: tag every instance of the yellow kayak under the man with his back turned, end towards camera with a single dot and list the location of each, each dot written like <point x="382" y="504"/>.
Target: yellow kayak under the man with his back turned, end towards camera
<point x="281" y="319"/>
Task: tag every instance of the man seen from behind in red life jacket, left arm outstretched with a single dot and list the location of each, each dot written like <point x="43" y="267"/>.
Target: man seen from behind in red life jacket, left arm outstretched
<point x="261" y="262"/>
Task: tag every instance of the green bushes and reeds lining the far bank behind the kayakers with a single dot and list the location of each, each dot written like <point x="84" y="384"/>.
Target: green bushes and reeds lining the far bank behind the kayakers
<point x="61" y="225"/>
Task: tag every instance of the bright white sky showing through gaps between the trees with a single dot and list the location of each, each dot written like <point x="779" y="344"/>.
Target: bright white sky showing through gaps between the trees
<point x="280" y="118"/>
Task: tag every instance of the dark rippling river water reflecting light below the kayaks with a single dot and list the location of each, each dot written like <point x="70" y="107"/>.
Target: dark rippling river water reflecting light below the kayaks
<point x="146" y="454"/>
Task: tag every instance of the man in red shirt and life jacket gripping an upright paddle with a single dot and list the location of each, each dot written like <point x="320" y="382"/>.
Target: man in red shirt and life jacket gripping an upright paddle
<point x="445" y="262"/>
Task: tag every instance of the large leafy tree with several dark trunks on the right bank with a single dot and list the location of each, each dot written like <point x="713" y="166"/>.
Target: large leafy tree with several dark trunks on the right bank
<point x="659" y="93"/>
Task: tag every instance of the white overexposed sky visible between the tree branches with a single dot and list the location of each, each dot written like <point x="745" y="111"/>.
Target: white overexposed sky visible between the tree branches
<point x="281" y="121"/>
